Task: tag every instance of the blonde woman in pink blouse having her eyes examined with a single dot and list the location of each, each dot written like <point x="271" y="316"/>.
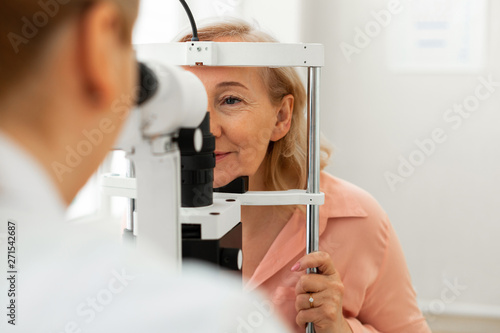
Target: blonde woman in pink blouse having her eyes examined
<point x="363" y="285"/>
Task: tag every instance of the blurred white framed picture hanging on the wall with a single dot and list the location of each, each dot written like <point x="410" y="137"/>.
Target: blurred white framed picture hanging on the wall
<point x="438" y="36"/>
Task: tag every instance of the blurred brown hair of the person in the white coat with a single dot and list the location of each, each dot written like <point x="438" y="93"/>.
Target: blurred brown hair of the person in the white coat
<point x="26" y="27"/>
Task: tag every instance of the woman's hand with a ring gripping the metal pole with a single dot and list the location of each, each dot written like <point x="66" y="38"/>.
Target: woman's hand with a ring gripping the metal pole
<point x="325" y="289"/>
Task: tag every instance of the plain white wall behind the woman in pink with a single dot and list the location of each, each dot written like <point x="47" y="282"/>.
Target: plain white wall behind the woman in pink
<point x="447" y="213"/>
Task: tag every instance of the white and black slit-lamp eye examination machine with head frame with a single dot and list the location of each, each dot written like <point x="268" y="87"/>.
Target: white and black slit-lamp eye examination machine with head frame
<point x="166" y="125"/>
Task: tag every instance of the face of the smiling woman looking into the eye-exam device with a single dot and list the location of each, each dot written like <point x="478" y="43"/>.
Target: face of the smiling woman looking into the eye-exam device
<point x="242" y="119"/>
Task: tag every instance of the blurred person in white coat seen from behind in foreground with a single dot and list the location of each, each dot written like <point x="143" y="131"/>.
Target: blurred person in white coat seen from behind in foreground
<point x="67" y="75"/>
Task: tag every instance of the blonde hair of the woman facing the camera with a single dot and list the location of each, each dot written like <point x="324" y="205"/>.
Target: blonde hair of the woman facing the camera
<point x="286" y="159"/>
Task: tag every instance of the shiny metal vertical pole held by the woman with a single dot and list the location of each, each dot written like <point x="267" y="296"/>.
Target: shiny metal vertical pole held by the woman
<point x="313" y="170"/>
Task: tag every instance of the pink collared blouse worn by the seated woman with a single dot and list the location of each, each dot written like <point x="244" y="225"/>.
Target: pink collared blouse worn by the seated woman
<point x="365" y="250"/>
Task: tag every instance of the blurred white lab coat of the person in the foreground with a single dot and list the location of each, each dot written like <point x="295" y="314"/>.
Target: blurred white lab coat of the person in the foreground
<point x="80" y="278"/>
